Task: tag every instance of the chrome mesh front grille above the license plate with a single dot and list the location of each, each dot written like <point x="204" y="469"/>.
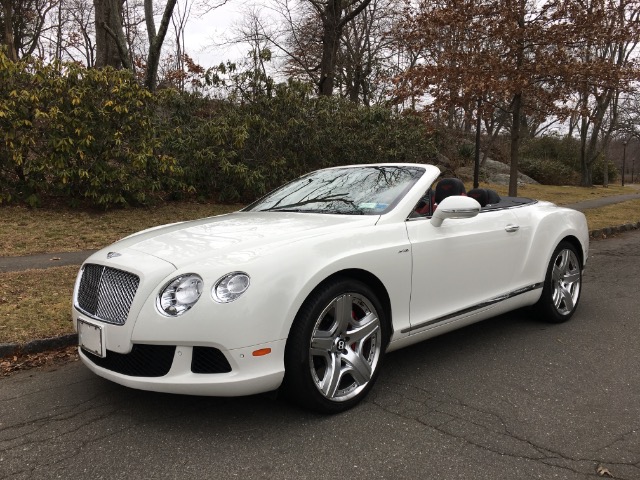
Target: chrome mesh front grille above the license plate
<point x="106" y="293"/>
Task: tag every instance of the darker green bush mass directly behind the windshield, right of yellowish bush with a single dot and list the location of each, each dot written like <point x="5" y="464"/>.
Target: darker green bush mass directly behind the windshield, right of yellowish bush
<point x="237" y="151"/>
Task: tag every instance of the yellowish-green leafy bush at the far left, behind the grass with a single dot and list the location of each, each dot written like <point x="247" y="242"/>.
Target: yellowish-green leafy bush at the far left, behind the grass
<point x="85" y="135"/>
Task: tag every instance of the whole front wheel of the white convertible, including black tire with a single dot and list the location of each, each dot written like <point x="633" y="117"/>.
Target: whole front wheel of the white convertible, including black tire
<point x="335" y="347"/>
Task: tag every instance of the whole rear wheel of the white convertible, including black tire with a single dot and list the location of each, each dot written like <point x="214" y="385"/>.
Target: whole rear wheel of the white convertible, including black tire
<point x="562" y="285"/>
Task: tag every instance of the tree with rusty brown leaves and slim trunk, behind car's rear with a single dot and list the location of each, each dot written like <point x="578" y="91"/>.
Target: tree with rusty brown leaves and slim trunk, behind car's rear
<point x="524" y="57"/>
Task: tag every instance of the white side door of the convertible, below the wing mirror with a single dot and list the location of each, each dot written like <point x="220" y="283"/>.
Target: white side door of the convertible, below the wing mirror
<point x="462" y="264"/>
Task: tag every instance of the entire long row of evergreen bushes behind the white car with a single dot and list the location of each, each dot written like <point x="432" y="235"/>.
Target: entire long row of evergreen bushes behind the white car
<point x="97" y="137"/>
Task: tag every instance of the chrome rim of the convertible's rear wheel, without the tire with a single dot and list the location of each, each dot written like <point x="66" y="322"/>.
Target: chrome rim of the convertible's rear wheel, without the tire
<point x="565" y="281"/>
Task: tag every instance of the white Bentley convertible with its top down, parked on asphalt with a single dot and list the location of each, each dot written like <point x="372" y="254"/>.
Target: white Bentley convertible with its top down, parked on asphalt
<point x="308" y="288"/>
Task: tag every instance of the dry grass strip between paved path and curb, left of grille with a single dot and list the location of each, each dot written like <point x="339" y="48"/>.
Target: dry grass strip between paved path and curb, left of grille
<point x="36" y="304"/>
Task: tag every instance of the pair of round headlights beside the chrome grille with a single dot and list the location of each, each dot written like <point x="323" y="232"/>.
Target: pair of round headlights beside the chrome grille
<point x="182" y="293"/>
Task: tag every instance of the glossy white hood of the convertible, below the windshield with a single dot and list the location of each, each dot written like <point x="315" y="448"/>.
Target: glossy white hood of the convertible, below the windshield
<point x="235" y="237"/>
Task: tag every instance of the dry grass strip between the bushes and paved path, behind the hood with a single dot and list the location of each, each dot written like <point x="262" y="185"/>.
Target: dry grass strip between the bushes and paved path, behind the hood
<point x="26" y="231"/>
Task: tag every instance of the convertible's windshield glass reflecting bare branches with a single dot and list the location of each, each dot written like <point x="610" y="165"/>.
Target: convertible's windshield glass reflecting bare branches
<point x="366" y="190"/>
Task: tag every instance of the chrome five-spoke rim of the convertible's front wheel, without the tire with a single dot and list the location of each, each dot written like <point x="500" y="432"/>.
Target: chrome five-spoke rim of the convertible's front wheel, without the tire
<point x="345" y="347"/>
